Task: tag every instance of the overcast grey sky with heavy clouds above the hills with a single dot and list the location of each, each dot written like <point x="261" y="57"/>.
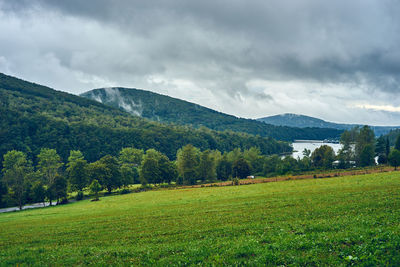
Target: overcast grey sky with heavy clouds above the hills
<point x="336" y="60"/>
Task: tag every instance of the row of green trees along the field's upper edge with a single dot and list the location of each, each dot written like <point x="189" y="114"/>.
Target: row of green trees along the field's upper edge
<point x="49" y="178"/>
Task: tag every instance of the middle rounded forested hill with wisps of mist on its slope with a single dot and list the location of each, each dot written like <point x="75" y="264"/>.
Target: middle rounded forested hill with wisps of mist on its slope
<point x="163" y="108"/>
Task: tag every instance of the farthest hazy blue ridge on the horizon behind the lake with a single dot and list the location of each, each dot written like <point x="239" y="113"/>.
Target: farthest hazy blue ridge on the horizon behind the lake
<point x="302" y="121"/>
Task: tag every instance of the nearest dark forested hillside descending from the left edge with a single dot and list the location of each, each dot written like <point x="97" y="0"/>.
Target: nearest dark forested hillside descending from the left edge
<point x="34" y="117"/>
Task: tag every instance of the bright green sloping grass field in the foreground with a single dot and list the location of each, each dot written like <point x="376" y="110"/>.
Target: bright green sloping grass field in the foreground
<point x="338" y="221"/>
